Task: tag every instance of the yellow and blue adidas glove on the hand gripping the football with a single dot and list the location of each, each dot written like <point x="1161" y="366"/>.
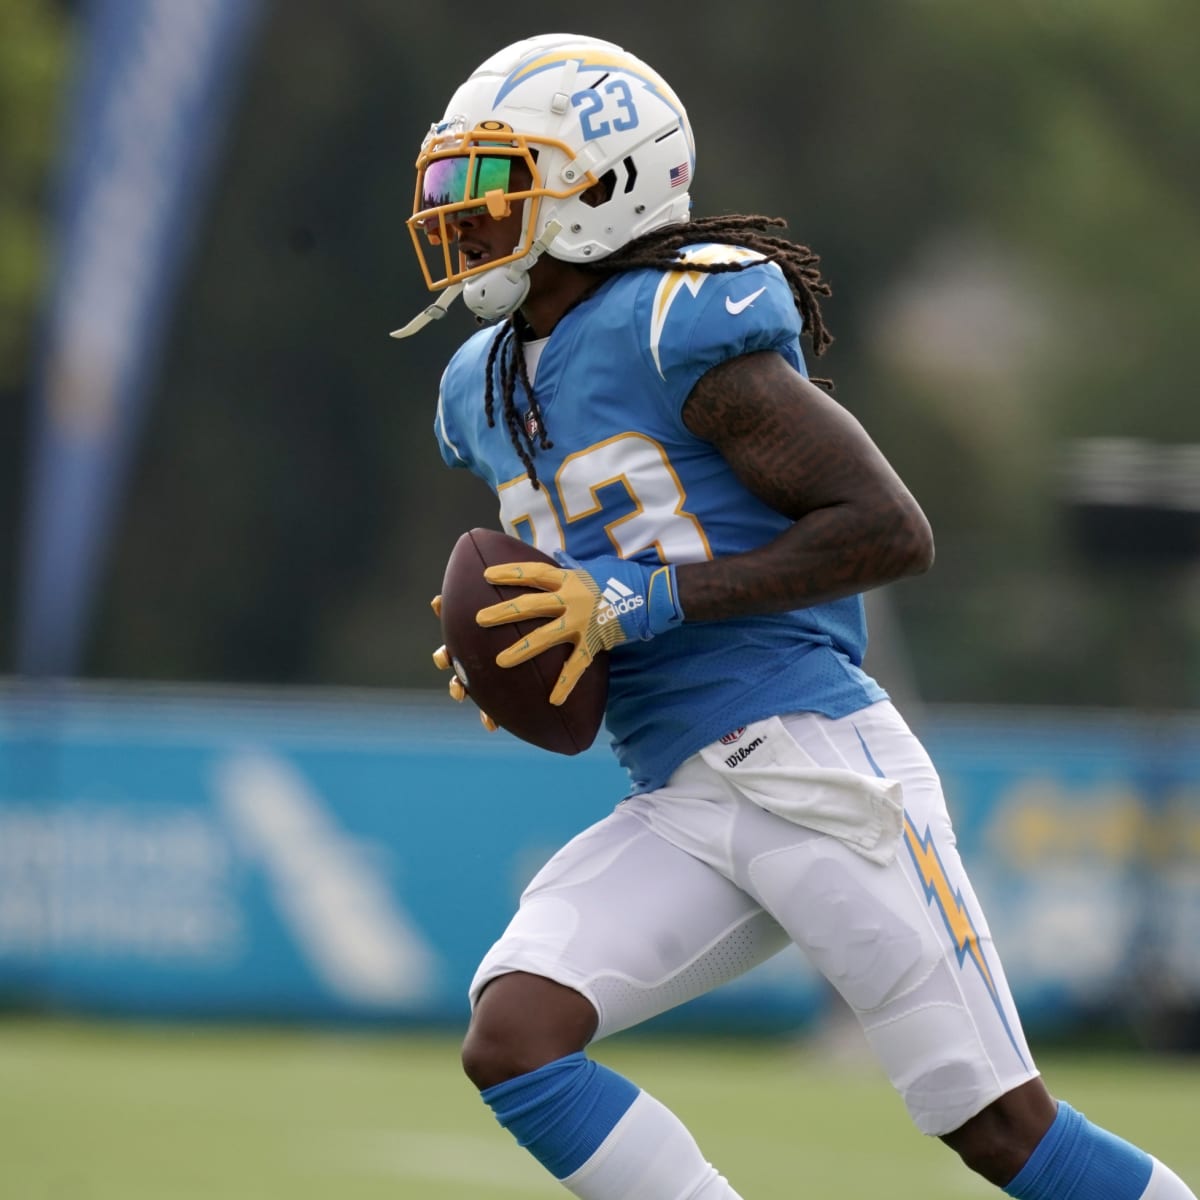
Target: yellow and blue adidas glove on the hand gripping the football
<point x="598" y="604"/>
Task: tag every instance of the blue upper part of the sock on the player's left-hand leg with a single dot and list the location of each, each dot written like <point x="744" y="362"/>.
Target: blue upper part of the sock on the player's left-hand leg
<point x="563" y="1112"/>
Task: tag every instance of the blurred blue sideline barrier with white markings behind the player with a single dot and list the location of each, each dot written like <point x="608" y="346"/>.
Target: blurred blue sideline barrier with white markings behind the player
<point x="349" y="857"/>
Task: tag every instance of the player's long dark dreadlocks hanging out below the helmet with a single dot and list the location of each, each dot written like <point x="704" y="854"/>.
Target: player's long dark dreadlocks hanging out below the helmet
<point x="658" y="250"/>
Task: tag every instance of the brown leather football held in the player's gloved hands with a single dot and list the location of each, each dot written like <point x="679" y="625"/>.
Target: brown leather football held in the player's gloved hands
<point x="518" y="699"/>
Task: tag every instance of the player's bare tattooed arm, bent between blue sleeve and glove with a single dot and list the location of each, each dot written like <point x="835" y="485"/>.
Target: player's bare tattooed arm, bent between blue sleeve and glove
<point x="856" y="525"/>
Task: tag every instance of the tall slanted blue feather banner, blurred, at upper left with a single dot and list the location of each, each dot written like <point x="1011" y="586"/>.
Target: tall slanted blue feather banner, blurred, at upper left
<point x="153" y="94"/>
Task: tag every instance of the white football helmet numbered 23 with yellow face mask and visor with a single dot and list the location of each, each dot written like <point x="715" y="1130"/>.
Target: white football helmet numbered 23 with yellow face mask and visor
<point x="575" y="112"/>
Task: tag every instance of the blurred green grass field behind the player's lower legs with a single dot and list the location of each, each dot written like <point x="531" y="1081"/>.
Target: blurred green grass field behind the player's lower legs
<point x="94" y="1112"/>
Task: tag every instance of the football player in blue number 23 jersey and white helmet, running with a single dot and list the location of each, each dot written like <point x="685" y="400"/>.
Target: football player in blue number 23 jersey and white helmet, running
<point x="641" y="407"/>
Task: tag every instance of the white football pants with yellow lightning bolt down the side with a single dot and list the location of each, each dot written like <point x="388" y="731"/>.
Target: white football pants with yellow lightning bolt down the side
<point x="832" y="835"/>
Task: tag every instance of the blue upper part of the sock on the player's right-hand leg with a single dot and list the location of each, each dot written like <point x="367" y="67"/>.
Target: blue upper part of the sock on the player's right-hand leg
<point x="1078" y="1161"/>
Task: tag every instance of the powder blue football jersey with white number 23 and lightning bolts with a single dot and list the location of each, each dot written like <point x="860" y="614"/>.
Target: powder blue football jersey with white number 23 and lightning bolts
<point x="626" y="477"/>
